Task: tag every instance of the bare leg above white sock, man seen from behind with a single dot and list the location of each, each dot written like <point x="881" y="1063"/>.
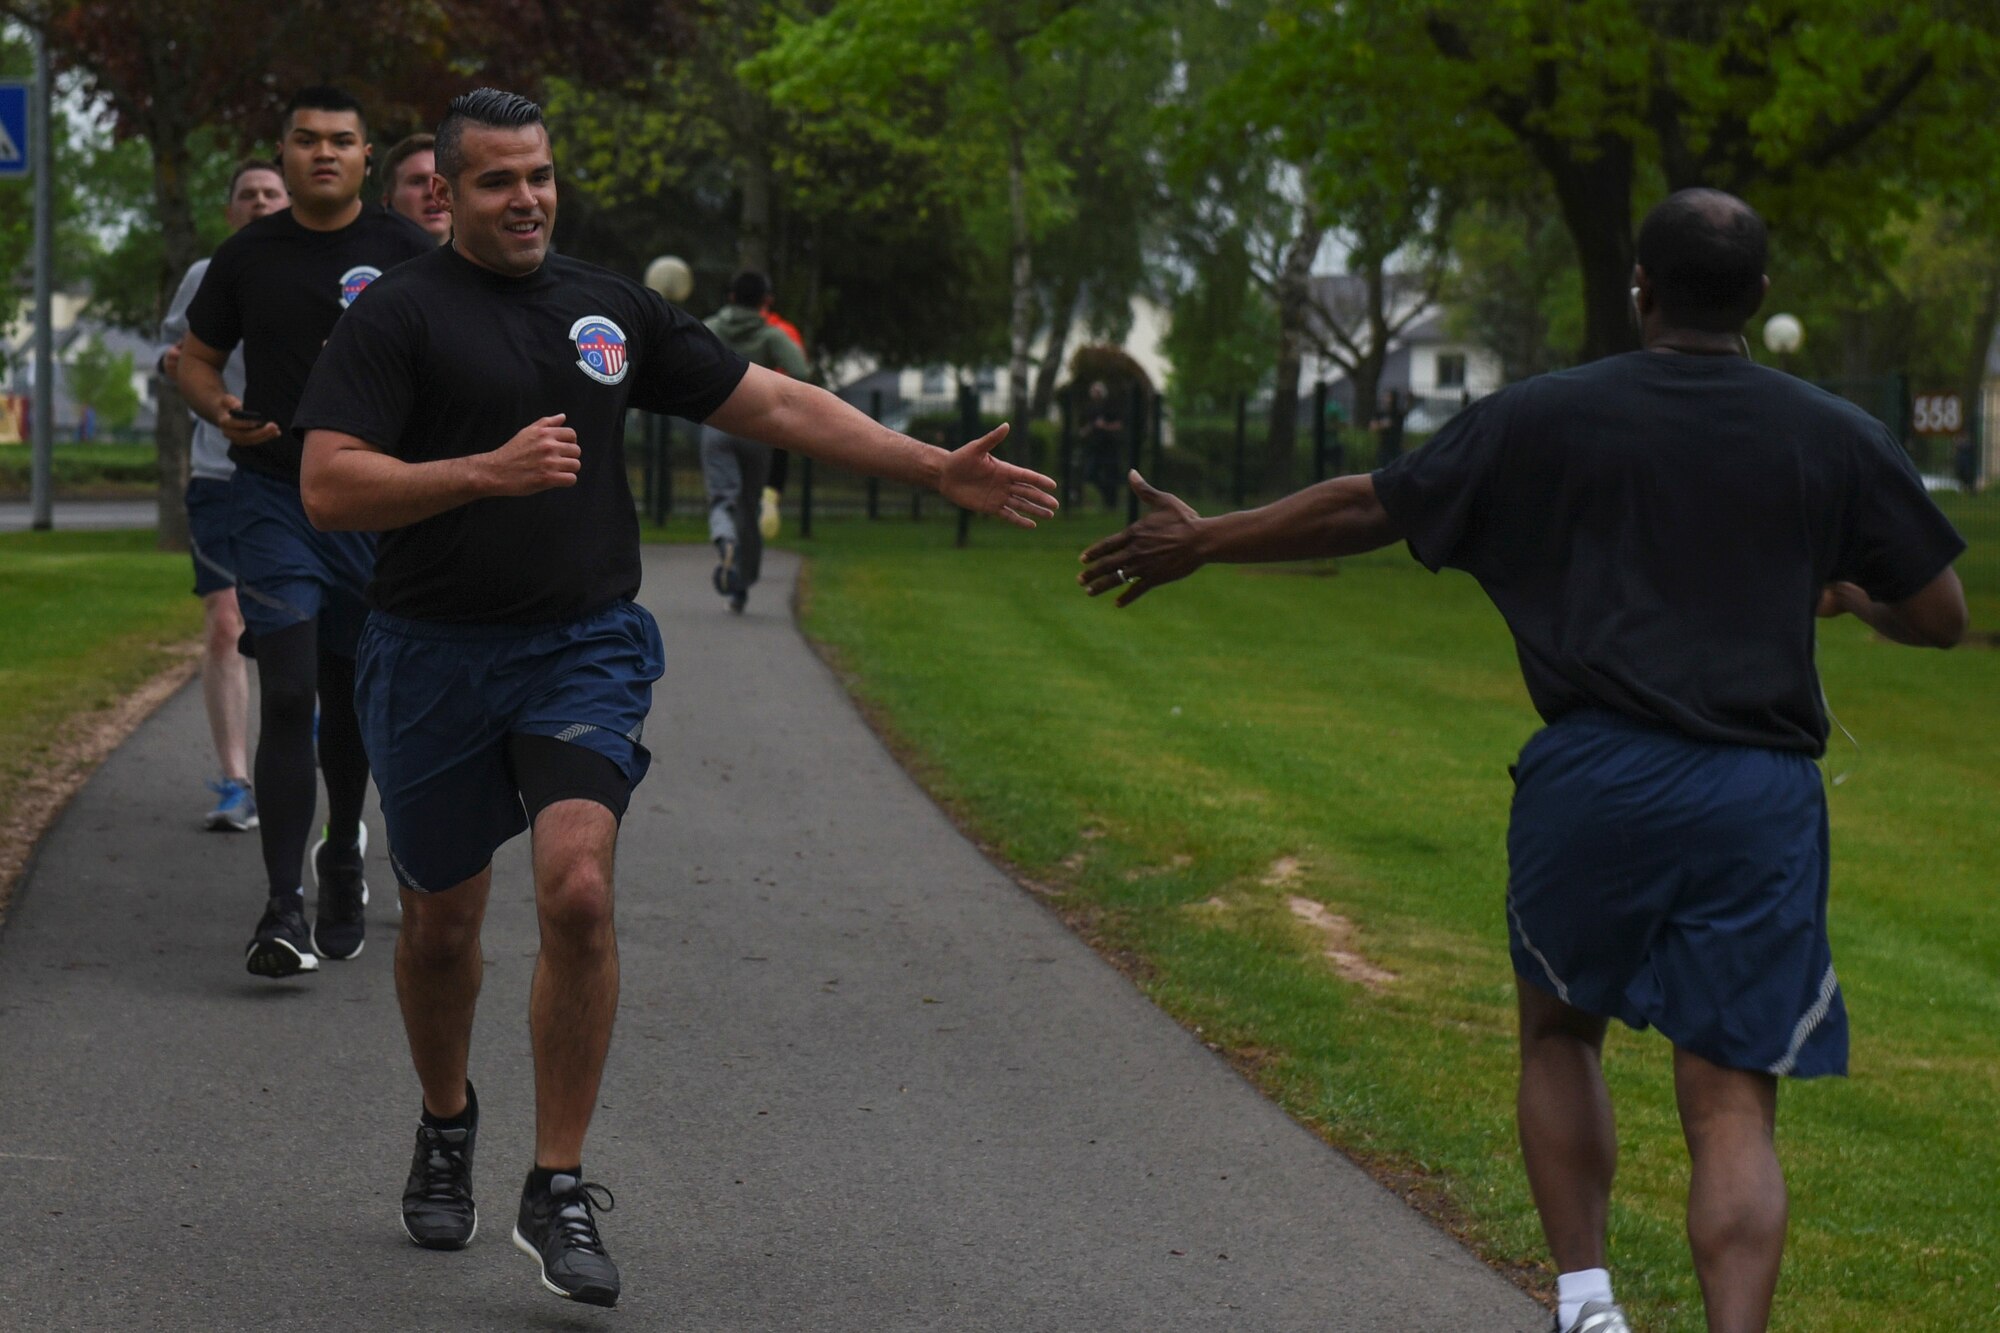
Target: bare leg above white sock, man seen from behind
<point x="1567" y="1134"/>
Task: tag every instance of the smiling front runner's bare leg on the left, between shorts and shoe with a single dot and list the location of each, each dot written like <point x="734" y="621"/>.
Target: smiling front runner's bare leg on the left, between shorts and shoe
<point x="439" y="974"/>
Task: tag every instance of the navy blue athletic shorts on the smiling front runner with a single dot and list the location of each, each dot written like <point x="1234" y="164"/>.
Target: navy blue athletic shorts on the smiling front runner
<point x="439" y="702"/>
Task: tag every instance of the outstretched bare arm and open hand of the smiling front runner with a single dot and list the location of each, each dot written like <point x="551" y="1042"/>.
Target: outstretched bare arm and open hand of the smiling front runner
<point x="797" y="417"/>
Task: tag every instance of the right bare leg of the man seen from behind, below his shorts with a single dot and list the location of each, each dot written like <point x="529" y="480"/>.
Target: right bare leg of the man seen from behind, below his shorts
<point x="1737" y="1204"/>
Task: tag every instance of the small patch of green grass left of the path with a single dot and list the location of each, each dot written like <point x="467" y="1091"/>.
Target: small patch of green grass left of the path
<point x="85" y="617"/>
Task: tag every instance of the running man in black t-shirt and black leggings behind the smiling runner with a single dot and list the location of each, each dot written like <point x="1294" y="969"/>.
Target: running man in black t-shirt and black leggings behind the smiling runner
<point x="279" y="287"/>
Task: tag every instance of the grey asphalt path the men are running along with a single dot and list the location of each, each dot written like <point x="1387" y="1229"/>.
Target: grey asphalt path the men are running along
<point x="861" y="1080"/>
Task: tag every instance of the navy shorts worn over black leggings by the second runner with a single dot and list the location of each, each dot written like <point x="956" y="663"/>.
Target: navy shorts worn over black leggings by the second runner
<point x="289" y="571"/>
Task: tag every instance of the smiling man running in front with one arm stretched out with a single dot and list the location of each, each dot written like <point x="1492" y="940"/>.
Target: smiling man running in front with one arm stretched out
<point x="473" y="411"/>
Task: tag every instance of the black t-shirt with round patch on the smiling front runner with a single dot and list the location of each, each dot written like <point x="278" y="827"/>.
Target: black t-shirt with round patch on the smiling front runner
<point x="447" y="359"/>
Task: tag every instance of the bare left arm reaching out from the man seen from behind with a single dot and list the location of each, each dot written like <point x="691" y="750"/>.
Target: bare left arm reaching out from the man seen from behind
<point x="1169" y="543"/>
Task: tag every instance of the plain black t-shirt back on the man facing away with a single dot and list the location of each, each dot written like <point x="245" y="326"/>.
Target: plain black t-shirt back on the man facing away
<point x="1657" y="531"/>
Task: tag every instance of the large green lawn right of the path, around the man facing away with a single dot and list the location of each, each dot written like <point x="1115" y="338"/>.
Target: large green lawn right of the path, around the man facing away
<point x="1179" y="770"/>
